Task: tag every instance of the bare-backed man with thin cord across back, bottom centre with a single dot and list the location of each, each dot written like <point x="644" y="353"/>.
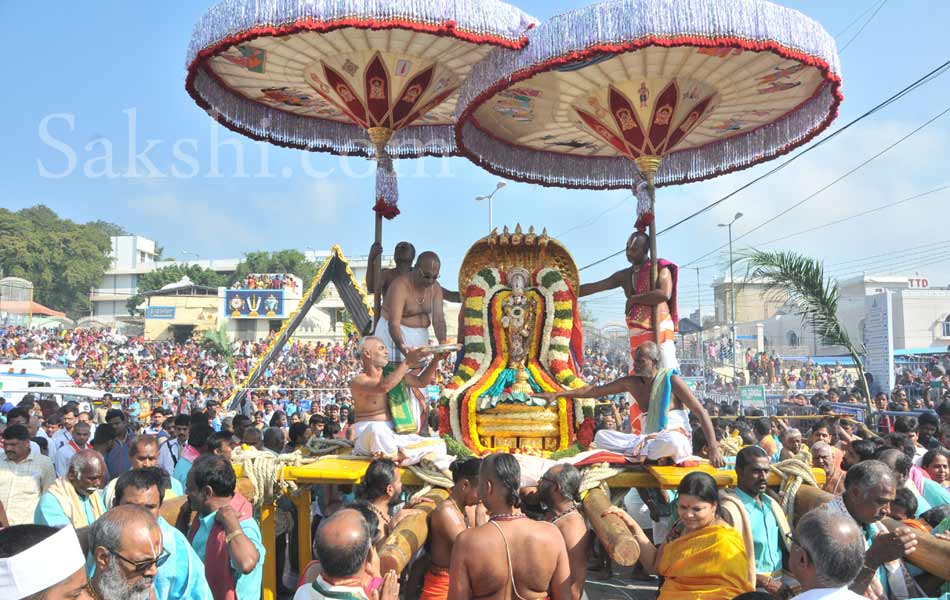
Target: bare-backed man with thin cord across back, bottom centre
<point x="511" y="556"/>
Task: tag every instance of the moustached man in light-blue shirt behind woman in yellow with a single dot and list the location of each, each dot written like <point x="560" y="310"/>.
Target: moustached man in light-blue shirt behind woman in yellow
<point x="765" y="522"/>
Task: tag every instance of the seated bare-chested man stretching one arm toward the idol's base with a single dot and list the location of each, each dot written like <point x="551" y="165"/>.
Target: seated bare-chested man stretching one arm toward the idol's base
<point x="666" y="399"/>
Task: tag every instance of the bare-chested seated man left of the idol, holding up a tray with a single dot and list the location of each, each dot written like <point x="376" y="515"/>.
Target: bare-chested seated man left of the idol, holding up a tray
<point x="374" y="431"/>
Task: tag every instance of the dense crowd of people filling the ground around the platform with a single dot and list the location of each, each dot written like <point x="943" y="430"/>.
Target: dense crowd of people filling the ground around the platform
<point x="90" y="484"/>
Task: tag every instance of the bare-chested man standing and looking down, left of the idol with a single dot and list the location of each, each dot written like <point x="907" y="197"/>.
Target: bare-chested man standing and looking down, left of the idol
<point x="412" y="303"/>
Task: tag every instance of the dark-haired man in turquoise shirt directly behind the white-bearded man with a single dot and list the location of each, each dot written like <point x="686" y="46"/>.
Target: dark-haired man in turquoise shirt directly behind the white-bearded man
<point x="181" y="575"/>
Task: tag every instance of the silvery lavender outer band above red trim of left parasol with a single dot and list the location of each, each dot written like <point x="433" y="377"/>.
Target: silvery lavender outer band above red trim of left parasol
<point x="480" y="17"/>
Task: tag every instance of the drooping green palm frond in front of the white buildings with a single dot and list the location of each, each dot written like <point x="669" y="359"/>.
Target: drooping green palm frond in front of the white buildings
<point x="814" y="296"/>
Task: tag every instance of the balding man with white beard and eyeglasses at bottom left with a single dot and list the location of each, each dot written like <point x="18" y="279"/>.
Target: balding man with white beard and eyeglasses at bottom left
<point x="126" y="545"/>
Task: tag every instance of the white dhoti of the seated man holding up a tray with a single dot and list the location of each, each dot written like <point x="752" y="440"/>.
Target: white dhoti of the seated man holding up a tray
<point x="379" y="438"/>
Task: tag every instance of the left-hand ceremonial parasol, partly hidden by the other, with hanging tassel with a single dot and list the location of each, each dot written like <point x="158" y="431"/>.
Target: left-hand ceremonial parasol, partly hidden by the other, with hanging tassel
<point x="374" y="78"/>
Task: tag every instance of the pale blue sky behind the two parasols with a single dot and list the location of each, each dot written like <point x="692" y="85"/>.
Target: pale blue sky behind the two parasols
<point x="100" y="63"/>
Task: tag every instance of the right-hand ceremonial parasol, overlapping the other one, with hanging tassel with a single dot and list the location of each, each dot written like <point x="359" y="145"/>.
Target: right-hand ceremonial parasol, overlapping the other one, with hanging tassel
<point x="670" y="90"/>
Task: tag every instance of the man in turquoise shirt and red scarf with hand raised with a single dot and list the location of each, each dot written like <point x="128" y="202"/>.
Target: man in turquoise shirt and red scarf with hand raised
<point x="224" y="534"/>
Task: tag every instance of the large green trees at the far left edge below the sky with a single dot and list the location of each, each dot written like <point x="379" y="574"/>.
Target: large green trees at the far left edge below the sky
<point x="63" y="259"/>
